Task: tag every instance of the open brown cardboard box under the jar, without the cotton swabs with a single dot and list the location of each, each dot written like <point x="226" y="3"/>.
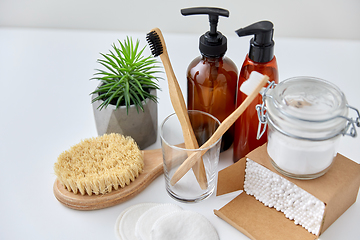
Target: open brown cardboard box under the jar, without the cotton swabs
<point x="261" y="222"/>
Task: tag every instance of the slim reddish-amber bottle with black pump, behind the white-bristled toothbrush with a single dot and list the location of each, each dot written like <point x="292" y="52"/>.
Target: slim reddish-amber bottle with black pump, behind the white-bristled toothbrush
<point x="260" y="58"/>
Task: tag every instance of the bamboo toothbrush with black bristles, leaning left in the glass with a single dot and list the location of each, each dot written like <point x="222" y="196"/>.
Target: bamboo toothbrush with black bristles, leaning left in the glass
<point x="158" y="48"/>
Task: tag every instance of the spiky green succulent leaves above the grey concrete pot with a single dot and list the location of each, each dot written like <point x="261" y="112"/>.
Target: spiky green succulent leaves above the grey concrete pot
<point x="128" y="76"/>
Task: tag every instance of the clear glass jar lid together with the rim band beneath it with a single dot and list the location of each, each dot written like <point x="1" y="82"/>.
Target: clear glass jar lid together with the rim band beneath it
<point x="307" y="107"/>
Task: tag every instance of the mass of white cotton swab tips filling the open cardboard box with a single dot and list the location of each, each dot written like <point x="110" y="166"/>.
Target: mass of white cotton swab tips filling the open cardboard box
<point x="277" y="192"/>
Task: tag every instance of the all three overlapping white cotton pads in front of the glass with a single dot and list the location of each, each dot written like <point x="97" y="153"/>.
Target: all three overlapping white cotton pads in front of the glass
<point x="151" y="221"/>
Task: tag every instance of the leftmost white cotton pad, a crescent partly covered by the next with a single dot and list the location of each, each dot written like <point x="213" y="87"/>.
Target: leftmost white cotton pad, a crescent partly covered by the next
<point x="126" y="222"/>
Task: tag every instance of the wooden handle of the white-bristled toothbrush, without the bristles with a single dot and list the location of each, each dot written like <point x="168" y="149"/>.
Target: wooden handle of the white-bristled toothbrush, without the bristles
<point x="224" y="126"/>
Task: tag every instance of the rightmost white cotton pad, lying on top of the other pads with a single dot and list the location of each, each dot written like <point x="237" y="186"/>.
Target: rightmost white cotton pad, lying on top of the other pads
<point x="183" y="225"/>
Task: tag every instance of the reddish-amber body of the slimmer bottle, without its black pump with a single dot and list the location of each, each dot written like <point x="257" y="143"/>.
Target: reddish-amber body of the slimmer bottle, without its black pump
<point x="247" y="125"/>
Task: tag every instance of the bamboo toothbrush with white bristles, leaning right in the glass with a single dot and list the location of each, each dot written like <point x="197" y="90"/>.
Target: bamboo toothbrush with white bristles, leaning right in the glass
<point x="254" y="84"/>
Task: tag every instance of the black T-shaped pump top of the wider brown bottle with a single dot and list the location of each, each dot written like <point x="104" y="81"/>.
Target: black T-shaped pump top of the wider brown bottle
<point x="212" y="43"/>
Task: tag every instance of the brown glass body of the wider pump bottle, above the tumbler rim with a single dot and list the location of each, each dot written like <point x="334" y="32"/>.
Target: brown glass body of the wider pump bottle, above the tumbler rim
<point x="212" y="88"/>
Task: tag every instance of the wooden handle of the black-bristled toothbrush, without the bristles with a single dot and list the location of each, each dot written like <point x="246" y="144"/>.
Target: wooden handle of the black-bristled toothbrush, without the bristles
<point x="179" y="106"/>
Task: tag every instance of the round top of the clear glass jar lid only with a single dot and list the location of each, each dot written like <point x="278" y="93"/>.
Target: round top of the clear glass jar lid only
<point x="309" y="99"/>
